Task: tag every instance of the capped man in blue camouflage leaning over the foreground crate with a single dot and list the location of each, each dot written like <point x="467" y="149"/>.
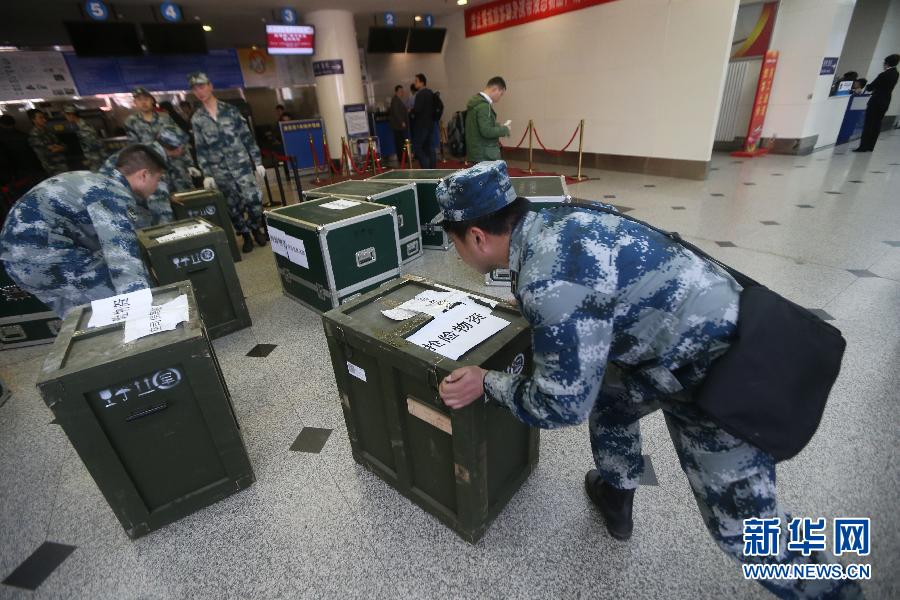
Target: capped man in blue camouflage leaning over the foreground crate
<point x="624" y="322"/>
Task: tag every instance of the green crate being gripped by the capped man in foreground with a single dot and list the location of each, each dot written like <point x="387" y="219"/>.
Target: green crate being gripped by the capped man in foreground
<point x="461" y="466"/>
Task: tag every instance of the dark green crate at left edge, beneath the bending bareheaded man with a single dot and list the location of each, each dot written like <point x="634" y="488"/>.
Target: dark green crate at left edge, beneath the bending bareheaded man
<point x="24" y="320"/>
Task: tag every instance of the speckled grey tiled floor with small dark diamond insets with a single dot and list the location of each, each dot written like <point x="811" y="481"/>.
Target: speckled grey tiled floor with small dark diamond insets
<point x="317" y="525"/>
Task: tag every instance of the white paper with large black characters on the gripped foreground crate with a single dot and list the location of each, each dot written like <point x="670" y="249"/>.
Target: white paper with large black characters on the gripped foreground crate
<point x="458" y="330"/>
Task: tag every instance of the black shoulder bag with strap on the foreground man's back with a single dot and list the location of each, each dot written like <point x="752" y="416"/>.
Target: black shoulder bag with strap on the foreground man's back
<point x="771" y="385"/>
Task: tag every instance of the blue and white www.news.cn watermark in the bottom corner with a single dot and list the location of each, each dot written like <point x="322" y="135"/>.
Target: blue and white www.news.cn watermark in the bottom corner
<point x="806" y="535"/>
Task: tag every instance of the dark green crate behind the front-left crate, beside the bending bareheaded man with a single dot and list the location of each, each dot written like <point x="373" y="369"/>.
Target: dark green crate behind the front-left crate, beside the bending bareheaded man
<point x="196" y="250"/>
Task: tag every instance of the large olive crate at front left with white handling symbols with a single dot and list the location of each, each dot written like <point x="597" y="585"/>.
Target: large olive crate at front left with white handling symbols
<point x="151" y="419"/>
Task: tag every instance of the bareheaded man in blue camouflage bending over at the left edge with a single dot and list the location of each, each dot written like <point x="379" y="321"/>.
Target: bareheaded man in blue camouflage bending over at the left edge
<point x="70" y="239"/>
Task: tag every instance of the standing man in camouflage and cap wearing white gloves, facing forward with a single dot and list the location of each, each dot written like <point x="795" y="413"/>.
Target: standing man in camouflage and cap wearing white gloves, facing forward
<point x="227" y="153"/>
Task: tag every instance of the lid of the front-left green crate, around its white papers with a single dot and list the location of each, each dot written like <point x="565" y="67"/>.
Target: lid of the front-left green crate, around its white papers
<point x="78" y="347"/>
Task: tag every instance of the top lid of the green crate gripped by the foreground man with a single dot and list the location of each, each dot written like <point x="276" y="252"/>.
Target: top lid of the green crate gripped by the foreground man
<point x="363" y="319"/>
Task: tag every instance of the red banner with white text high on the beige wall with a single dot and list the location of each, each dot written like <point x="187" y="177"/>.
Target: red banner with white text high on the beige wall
<point x="509" y="13"/>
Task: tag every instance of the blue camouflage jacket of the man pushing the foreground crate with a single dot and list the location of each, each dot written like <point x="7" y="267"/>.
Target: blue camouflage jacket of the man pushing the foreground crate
<point x="600" y="289"/>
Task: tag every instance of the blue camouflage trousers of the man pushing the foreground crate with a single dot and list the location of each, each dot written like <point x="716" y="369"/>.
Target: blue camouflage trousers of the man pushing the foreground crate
<point x="731" y="479"/>
